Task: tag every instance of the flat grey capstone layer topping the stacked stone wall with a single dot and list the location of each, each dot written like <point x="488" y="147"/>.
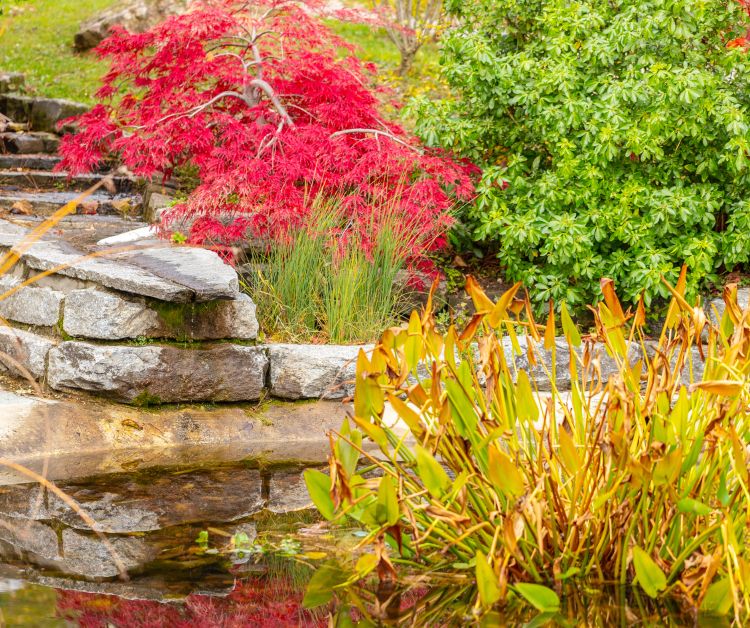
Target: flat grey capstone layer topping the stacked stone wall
<point x="178" y="274"/>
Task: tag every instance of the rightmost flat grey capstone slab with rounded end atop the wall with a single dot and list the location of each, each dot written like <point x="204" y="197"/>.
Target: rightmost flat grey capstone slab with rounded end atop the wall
<point x="200" y="270"/>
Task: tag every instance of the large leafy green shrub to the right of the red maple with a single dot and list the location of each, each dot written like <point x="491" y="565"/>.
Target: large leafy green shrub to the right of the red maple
<point x="622" y="129"/>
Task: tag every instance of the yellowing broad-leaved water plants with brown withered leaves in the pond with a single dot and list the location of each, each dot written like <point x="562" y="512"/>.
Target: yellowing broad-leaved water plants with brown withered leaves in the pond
<point x="641" y="476"/>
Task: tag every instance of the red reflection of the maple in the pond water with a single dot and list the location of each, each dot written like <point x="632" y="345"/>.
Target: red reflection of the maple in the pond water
<point x="253" y="602"/>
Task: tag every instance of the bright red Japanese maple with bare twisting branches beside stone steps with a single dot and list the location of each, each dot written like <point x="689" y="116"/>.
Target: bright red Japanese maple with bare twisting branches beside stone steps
<point x="272" y="109"/>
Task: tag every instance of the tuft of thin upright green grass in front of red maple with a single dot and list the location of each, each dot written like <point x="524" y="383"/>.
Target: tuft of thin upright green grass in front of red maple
<point x="324" y="283"/>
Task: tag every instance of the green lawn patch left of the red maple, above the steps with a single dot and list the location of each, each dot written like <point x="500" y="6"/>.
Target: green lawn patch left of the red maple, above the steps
<point x="36" y="38"/>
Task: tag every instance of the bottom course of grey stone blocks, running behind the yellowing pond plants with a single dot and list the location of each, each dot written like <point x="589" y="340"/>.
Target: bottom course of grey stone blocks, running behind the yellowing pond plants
<point x="152" y="374"/>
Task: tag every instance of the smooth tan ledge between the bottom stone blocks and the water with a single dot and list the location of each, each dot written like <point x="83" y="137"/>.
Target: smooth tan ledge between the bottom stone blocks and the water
<point x="78" y="437"/>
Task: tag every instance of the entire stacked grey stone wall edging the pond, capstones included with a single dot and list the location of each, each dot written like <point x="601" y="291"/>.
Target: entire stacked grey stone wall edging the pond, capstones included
<point x="169" y="325"/>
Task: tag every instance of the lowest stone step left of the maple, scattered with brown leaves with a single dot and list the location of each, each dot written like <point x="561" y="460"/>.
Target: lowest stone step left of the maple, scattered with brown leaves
<point x="47" y="203"/>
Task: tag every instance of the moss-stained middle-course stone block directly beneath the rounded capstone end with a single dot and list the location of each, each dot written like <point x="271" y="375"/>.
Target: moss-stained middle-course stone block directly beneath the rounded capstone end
<point x="112" y="316"/>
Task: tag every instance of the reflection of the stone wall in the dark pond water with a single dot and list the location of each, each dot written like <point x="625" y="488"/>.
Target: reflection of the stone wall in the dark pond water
<point x="142" y="518"/>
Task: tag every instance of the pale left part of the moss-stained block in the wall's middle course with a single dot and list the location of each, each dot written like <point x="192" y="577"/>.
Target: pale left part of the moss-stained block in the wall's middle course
<point x="108" y="316"/>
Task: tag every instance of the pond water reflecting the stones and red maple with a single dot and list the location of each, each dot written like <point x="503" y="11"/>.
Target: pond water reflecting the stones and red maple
<point x="189" y="546"/>
